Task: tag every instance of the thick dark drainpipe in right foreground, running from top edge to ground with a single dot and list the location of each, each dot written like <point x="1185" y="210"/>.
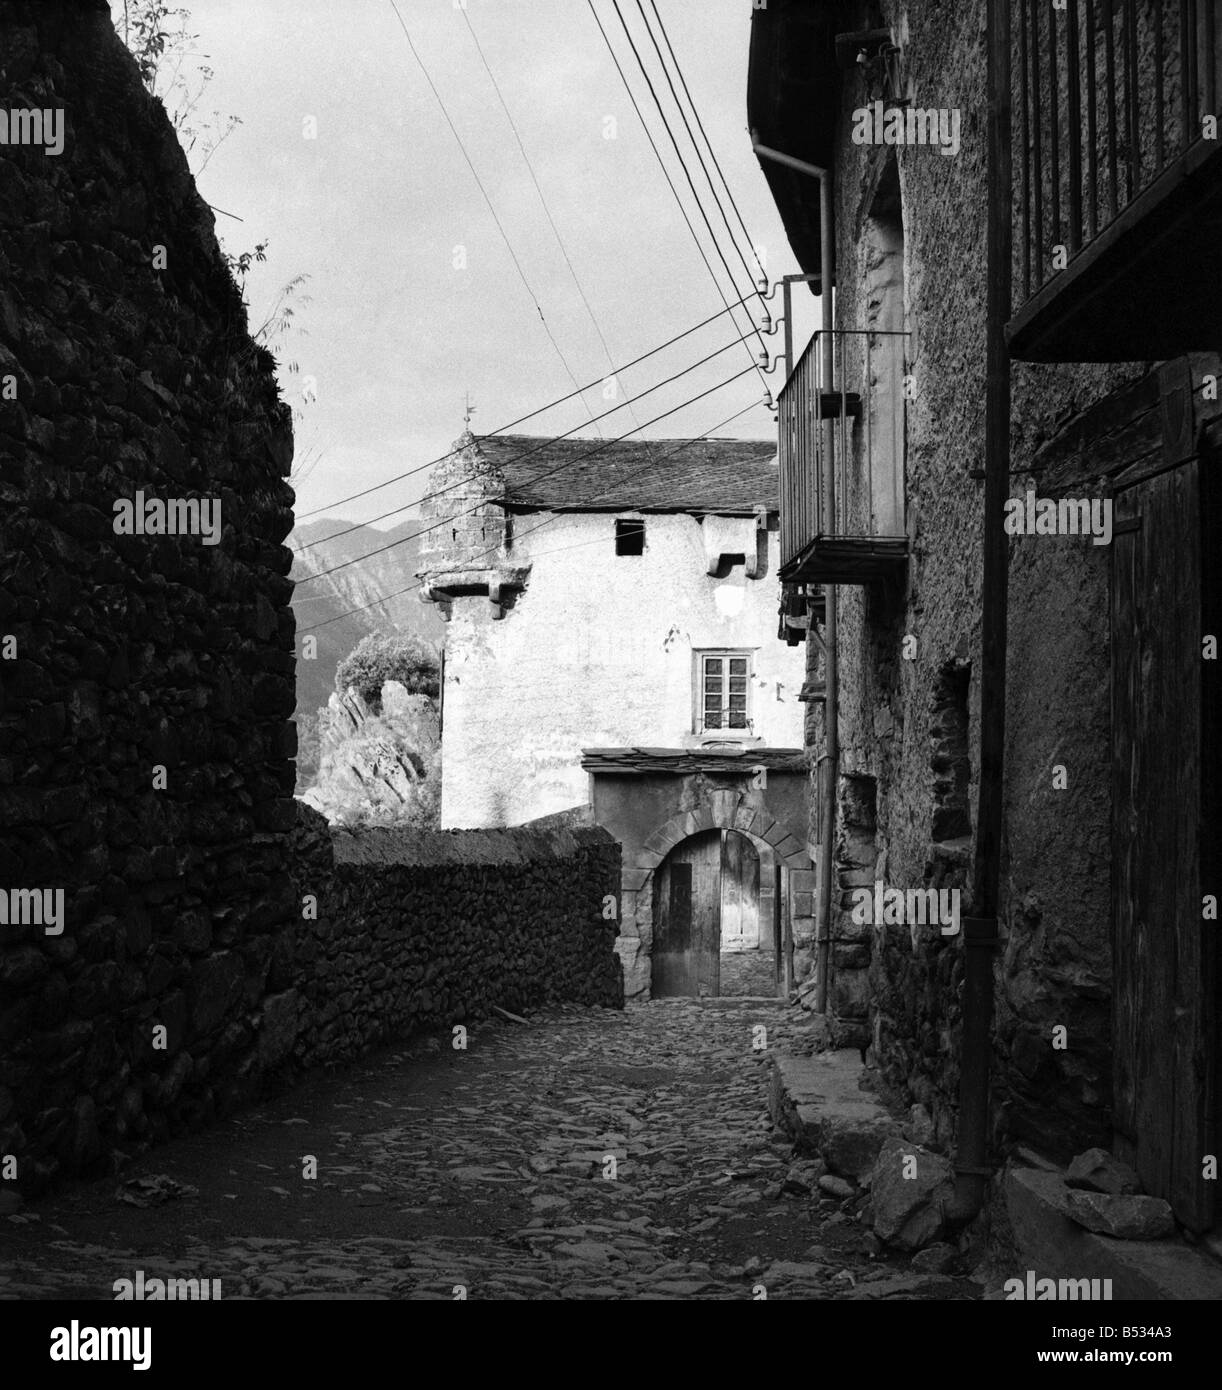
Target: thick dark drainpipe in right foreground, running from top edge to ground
<point x="981" y="931"/>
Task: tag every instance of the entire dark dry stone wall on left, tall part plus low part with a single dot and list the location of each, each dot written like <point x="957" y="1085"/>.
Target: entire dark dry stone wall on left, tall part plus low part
<point x="155" y="964"/>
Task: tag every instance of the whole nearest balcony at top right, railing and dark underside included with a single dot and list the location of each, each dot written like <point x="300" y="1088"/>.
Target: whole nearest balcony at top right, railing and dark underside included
<point x="1118" y="186"/>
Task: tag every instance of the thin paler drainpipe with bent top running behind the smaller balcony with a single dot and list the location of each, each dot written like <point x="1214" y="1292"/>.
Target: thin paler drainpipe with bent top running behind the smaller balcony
<point x="832" y="703"/>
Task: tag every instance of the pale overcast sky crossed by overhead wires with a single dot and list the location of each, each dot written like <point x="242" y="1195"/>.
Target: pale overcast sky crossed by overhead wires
<point x="375" y="208"/>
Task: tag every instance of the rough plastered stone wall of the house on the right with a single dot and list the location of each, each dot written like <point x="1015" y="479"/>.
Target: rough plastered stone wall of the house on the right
<point x="903" y="721"/>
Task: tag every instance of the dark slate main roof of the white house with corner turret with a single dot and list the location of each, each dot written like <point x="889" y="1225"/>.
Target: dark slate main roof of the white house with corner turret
<point x="719" y="476"/>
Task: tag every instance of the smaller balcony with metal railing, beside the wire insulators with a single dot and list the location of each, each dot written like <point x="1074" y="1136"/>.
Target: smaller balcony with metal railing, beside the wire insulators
<point x="856" y="534"/>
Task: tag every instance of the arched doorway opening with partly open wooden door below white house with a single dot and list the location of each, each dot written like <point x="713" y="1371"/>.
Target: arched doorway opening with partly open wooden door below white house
<point x="708" y="932"/>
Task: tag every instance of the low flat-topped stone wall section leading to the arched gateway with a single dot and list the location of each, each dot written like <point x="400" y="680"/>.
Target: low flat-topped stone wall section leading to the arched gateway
<point x="429" y="929"/>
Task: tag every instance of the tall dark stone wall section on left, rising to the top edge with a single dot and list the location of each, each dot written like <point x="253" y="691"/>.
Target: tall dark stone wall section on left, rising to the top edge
<point x="147" y="682"/>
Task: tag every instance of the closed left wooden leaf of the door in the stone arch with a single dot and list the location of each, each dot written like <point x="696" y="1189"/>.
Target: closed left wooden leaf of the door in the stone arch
<point x="687" y="919"/>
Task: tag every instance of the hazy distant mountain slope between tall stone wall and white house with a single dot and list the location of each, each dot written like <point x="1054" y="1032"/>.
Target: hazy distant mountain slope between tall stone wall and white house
<point x="354" y="589"/>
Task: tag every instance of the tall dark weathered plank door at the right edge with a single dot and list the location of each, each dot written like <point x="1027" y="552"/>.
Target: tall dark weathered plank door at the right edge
<point x="1164" y="957"/>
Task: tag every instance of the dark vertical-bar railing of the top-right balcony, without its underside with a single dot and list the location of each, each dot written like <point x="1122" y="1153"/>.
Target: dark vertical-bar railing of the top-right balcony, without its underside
<point x="1107" y="97"/>
